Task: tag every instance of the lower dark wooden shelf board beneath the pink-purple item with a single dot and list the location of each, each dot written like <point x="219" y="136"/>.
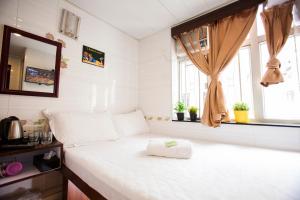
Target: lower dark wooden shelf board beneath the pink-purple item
<point x="29" y="171"/>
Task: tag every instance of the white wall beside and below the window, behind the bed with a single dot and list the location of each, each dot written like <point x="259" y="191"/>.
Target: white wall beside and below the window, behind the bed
<point x="155" y="98"/>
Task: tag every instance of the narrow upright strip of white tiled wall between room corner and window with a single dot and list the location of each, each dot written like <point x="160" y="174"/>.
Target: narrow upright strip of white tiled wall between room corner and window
<point x="155" y="74"/>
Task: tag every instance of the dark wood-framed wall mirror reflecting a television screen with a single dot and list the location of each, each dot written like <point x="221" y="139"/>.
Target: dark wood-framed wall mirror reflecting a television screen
<point x="30" y="64"/>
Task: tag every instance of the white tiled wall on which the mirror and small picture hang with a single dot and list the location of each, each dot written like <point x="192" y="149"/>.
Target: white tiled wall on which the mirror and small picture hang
<point x="82" y="86"/>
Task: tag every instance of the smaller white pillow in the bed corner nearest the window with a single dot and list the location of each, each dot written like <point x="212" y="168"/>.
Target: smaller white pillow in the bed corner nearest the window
<point x="131" y="123"/>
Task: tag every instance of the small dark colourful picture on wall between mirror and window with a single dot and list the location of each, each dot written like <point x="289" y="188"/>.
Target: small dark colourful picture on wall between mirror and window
<point x="92" y="56"/>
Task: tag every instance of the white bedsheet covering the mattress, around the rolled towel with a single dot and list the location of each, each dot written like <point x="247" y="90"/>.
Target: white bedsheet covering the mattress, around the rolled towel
<point x="122" y="170"/>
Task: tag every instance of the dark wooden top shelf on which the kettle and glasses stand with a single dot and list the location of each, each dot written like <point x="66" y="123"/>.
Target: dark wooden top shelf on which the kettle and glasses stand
<point x="38" y="147"/>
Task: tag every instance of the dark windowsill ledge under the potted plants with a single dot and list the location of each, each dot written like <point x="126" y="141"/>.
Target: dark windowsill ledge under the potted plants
<point x="250" y="123"/>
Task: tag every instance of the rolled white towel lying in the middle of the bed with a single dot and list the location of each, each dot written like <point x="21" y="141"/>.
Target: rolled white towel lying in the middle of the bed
<point x="173" y="148"/>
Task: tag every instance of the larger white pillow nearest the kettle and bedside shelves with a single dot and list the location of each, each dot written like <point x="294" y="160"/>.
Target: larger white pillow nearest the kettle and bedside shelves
<point x="79" y="128"/>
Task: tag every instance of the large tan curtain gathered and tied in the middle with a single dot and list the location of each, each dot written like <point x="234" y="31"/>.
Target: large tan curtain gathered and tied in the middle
<point x="225" y="38"/>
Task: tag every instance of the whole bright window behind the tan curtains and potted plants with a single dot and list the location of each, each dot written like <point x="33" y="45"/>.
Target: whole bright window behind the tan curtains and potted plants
<point x="241" y="79"/>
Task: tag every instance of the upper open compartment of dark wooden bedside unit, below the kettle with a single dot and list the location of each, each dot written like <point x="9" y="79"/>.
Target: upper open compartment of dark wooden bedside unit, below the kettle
<point x="26" y="157"/>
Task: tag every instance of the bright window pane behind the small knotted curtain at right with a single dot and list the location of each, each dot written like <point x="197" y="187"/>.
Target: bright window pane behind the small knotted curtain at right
<point x="281" y="101"/>
